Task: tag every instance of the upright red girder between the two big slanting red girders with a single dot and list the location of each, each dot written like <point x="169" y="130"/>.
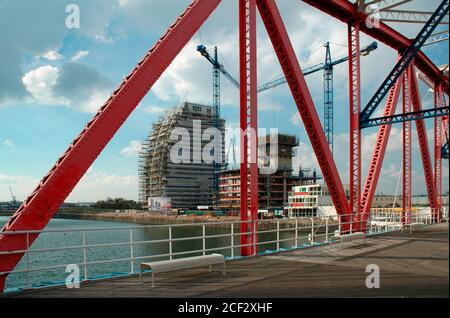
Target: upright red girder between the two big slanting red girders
<point x="249" y="126"/>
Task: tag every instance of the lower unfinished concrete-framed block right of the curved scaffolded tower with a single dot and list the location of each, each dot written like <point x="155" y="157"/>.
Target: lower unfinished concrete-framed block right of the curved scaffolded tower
<point x="273" y="188"/>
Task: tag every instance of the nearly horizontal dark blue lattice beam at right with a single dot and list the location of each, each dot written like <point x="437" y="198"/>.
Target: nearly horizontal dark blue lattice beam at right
<point x="400" y="118"/>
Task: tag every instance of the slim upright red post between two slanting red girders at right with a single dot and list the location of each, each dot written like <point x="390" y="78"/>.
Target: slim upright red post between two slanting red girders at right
<point x="406" y="151"/>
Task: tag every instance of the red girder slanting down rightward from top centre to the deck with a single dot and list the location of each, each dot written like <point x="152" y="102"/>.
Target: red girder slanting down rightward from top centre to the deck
<point x="302" y="97"/>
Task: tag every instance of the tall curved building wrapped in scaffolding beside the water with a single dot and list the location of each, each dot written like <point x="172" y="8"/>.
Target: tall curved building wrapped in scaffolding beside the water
<point x="166" y="183"/>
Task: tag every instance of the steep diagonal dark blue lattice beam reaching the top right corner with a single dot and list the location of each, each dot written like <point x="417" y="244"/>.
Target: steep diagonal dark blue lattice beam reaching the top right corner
<point x="405" y="60"/>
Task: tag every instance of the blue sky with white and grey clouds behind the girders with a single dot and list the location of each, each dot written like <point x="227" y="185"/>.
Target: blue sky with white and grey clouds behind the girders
<point x="53" y="79"/>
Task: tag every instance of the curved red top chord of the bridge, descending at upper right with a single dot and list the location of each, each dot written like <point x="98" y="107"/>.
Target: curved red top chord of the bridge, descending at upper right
<point x="346" y="12"/>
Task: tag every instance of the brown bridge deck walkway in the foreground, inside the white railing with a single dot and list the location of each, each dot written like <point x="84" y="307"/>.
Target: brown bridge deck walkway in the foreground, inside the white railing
<point x="411" y="266"/>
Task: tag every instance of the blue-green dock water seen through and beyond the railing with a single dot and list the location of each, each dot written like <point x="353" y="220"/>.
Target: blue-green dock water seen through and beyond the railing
<point x="138" y="235"/>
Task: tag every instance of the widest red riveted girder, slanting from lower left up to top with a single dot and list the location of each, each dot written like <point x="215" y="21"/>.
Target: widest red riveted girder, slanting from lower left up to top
<point x="45" y="200"/>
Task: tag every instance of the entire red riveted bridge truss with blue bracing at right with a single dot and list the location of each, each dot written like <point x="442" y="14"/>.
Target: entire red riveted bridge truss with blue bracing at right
<point x="44" y="202"/>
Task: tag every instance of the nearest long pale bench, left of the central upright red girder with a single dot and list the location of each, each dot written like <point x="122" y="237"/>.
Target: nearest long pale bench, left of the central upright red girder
<point x="182" y="263"/>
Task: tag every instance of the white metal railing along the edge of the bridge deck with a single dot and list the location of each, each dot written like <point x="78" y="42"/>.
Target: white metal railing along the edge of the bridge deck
<point x="379" y="221"/>
